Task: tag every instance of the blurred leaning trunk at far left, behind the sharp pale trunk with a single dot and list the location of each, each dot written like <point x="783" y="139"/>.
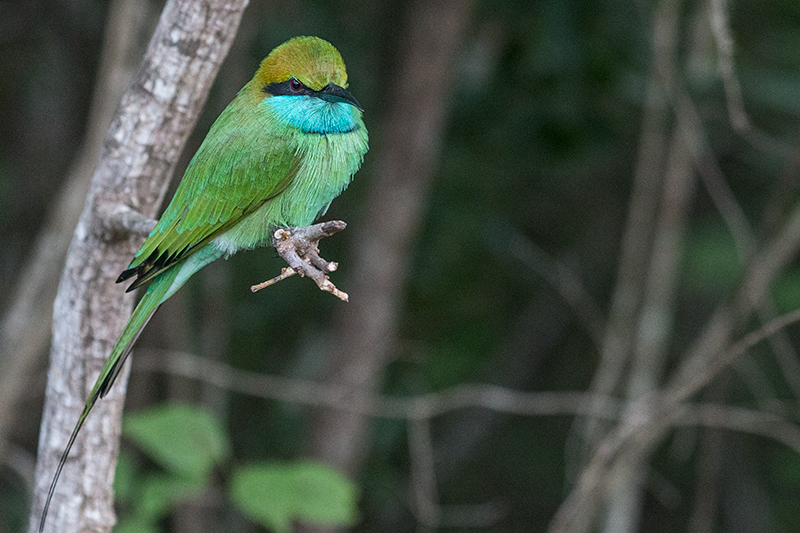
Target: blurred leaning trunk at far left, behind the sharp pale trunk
<point x="22" y="337"/>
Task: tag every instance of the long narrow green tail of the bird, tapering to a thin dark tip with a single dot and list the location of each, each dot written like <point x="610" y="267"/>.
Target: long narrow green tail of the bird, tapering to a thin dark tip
<point x="156" y="293"/>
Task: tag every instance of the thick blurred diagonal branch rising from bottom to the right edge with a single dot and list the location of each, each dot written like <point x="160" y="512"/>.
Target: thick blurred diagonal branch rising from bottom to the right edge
<point x="712" y="352"/>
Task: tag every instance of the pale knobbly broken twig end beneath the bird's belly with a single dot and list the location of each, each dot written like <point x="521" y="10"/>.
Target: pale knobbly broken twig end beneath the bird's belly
<point x="299" y="248"/>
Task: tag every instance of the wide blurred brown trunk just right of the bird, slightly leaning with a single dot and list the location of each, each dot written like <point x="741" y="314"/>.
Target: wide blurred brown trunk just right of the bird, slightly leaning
<point x="405" y="164"/>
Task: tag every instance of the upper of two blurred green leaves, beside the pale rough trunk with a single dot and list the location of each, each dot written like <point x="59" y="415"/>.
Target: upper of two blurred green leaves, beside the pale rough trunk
<point x="183" y="439"/>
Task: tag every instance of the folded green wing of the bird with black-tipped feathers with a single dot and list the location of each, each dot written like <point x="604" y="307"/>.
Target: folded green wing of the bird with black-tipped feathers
<point x="224" y="182"/>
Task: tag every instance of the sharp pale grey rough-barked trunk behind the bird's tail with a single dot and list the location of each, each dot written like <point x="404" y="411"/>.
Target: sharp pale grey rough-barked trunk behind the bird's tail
<point x="144" y="141"/>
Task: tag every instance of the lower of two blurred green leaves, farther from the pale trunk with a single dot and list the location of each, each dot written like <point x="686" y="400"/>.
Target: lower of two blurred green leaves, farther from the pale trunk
<point x="276" y="494"/>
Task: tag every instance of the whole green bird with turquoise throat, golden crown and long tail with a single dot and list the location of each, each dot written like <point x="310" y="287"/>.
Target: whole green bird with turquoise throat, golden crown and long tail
<point x="283" y="149"/>
